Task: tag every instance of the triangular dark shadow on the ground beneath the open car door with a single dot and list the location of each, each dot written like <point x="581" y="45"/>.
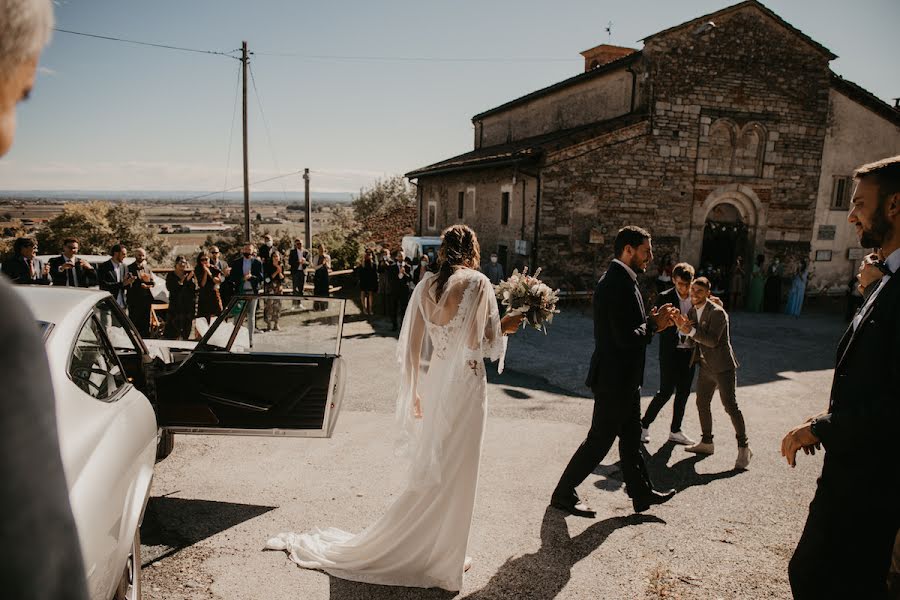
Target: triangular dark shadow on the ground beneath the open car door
<point x="171" y="524"/>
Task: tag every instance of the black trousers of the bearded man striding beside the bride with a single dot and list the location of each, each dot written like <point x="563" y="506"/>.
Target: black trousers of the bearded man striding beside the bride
<point x="616" y="414"/>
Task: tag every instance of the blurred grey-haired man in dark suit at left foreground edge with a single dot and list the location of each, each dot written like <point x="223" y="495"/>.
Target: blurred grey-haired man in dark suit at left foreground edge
<point x="40" y="552"/>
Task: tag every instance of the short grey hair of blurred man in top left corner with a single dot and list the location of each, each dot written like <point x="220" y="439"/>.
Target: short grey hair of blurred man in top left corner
<point x="25" y="27"/>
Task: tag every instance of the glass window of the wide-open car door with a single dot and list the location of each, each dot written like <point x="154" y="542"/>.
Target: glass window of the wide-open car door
<point x="279" y="324"/>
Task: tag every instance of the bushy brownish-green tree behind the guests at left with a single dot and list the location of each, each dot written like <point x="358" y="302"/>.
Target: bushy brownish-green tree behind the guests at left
<point x="99" y="225"/>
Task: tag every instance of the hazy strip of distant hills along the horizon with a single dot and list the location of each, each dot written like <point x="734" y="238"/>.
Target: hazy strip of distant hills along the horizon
<point x="171" y="196"/>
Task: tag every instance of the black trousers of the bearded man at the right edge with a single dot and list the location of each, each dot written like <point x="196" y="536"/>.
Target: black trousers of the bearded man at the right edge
<point x="846" y="545"/>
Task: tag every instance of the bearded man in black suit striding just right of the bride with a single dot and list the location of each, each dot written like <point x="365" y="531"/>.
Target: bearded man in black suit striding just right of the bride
<point x="622" y="330"/>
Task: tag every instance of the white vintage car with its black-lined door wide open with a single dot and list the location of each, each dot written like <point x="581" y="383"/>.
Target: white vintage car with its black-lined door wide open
<point x="120" y="399"/>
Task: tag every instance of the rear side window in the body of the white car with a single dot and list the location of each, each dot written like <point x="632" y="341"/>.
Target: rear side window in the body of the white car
<point x="93" y="366"/>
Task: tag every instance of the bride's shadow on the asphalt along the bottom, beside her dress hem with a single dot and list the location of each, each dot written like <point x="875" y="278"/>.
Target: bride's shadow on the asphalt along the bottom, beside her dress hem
<point x="541" y="575"/>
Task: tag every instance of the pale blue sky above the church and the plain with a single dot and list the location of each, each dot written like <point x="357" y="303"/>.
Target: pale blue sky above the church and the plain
<point x="352" y="90"/>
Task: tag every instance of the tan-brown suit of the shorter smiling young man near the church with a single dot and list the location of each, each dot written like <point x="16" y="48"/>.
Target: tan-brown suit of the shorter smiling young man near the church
<point x="718" y="369"/>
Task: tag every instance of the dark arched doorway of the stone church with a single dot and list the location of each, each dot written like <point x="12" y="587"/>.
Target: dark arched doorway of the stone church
<point x="725" y="237"/>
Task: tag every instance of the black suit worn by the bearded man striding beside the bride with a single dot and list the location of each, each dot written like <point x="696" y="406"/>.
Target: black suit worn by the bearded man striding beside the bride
<point x="621" y="334"/>
